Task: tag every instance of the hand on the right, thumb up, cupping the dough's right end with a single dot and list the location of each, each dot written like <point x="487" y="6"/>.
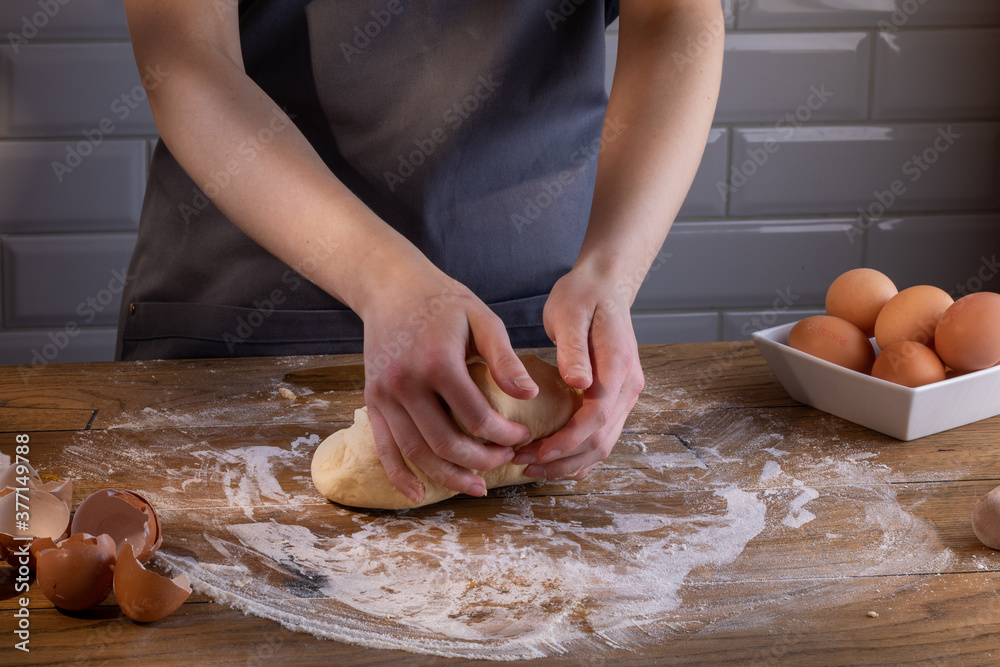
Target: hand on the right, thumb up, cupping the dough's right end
<point x="588" y="320"/>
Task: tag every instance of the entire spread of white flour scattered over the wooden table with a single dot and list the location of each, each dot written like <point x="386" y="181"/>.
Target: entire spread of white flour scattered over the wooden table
<point x="537" y="571"/>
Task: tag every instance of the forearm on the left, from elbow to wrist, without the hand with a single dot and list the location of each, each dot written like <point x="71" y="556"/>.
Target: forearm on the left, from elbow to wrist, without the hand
<point x="258" y="168"/>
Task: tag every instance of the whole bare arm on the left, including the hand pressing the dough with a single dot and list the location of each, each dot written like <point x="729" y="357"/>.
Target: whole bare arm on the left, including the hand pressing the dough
<point x="216" y="120"/>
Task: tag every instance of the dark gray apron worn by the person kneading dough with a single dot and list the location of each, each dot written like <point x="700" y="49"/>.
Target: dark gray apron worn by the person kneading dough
<point x="471" y="127"/>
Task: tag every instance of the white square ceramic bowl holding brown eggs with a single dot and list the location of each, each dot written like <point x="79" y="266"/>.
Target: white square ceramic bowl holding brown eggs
<point x="902" y="412"/>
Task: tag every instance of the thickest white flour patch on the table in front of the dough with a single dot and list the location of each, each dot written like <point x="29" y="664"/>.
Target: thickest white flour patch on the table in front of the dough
<point x="546" y="586"/>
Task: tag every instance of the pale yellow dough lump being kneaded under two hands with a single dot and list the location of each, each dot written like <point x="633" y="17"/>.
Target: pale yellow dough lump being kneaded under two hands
<point x="346" y="468"/>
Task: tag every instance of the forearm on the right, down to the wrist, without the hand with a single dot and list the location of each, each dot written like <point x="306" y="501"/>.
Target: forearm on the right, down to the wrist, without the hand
<point x="658" y="118"/>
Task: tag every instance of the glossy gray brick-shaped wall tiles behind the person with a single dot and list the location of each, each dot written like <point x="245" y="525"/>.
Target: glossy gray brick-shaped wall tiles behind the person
<point x="844" y="137"/>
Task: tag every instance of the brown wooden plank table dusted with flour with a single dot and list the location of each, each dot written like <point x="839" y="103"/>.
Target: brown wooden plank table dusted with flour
<point x="794" y="537"/>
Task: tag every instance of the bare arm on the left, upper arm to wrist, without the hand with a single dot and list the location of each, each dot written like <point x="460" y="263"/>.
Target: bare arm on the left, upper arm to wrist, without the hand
<point x="206" y="108"/>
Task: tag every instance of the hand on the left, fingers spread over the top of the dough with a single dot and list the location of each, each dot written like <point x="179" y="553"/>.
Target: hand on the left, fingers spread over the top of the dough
<point x="417" y="341"/>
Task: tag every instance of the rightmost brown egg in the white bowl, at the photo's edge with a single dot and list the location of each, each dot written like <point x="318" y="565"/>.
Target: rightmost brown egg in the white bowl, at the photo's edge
<point x="968" y="334"/>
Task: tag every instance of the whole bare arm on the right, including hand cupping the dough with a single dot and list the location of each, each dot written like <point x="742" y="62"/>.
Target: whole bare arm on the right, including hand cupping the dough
<point x="660" y="111"/>
